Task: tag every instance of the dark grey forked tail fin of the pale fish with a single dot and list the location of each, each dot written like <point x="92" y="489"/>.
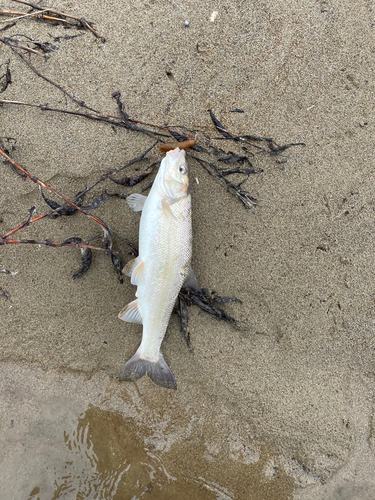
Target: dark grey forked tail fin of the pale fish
<point x="159" y="372"/>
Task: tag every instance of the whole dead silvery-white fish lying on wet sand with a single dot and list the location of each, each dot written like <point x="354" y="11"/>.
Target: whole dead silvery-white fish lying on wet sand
<point x="162" y="267"/>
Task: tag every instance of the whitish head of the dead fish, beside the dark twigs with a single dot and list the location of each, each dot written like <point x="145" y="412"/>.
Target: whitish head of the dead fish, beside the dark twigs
<point x="174" y="178"/>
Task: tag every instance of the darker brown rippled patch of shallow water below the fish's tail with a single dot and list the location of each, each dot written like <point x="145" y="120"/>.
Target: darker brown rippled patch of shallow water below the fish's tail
<point x="101" y="457"/>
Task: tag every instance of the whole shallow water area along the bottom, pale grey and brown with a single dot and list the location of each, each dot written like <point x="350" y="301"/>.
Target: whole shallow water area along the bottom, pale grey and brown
<point x="58" y="445"/>
